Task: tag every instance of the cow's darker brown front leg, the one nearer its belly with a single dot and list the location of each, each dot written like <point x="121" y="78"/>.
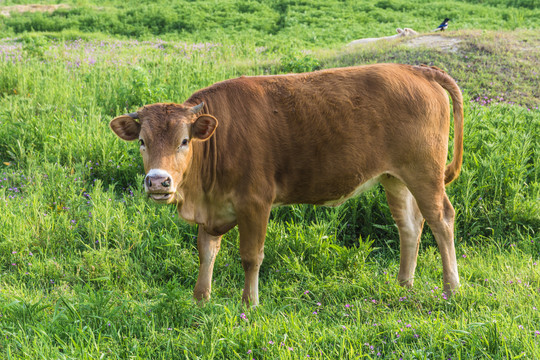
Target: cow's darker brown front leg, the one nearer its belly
<point x="252" y="224"/>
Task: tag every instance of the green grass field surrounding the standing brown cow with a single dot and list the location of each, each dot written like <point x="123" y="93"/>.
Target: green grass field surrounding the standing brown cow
<point x="90" y="269"/>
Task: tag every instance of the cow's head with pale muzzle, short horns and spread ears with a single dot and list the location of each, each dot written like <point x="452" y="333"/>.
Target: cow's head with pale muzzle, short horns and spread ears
<point x="165" y="133"/>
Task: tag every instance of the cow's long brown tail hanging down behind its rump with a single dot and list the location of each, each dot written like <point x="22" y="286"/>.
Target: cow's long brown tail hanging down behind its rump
<point x="442" y="78"/>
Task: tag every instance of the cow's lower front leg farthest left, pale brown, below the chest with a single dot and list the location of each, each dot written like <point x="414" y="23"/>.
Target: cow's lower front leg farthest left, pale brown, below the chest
<point x="208" y="246"/>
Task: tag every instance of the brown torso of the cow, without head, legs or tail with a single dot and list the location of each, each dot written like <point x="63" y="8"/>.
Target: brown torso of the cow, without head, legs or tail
<point x="315" y="137"/>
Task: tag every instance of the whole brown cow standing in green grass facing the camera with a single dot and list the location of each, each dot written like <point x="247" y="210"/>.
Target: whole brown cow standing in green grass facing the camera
<point x="317" y="138"/>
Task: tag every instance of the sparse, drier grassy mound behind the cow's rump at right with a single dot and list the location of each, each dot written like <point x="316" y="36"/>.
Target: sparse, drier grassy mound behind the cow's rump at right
<point x="503" y="65"/>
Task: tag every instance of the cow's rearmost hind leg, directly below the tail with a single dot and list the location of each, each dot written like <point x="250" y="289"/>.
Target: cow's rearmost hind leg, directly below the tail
<point x="439" y="214"/>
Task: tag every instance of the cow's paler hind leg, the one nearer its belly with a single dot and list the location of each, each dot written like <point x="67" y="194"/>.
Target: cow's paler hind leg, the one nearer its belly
<point x="409" y="221"/>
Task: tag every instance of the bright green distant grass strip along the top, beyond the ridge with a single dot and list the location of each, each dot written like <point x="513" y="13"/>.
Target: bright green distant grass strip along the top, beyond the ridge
<point x="282" y="24"/>
